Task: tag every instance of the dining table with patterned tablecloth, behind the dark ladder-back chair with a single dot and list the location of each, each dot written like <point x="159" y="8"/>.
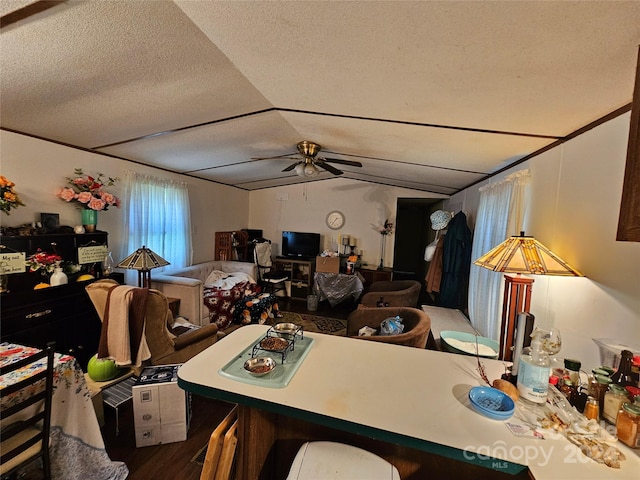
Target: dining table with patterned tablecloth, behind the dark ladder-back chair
<point x="76" y="446"/>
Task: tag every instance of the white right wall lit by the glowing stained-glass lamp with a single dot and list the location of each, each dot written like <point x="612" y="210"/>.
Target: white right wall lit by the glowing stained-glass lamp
<point x="573" y="209"/>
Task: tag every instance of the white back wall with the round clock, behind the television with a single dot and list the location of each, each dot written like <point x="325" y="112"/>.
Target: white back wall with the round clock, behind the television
<point x="304" y="208"/>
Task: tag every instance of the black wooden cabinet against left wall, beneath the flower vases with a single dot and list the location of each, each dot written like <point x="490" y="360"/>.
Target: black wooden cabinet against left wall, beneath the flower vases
<point x="63" y="314"/>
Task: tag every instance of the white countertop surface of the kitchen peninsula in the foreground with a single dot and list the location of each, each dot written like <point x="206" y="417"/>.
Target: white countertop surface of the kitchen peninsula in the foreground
<point x="418" y="397"/>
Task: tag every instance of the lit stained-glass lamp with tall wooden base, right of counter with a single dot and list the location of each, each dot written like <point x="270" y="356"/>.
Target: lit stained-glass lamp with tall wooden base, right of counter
<point x="520" y="254"/>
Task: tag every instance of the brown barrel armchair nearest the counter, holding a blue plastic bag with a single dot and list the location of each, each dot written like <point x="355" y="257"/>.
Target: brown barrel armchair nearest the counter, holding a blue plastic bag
<point x="417" y="325"/>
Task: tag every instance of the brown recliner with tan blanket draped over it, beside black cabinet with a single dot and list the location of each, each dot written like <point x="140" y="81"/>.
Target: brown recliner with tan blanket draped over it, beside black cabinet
<point x="165" y="347"/>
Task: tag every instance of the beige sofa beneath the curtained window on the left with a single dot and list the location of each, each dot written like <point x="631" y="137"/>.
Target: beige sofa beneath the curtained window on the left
<point x="187" y="284"/>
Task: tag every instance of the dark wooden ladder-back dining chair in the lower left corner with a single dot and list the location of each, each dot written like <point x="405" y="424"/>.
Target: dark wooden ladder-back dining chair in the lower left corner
<point x="27" y="438"/>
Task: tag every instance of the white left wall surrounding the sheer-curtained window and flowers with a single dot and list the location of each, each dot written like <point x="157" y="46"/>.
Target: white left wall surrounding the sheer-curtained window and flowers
<point x="39" y="169"/>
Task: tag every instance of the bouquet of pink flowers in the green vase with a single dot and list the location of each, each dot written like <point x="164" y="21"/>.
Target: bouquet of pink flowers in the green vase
<point x="89" y="192"/>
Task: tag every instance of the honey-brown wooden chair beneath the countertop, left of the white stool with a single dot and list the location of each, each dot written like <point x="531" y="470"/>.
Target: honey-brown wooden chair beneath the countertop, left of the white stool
<point x="221" y="449"/>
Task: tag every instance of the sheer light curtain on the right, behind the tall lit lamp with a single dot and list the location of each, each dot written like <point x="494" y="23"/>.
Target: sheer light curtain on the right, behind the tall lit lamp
<point x="500" y="215"/>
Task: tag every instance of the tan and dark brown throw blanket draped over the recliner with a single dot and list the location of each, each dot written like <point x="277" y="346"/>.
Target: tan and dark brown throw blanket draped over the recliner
<point x="122" y="337"/>
